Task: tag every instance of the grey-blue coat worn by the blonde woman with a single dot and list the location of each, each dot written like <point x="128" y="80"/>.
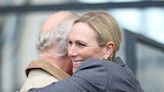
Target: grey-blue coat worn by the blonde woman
<point x="97" y="76"/>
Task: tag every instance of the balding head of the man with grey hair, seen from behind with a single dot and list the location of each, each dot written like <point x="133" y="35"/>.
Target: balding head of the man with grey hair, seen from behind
<point x="55" y="32"/>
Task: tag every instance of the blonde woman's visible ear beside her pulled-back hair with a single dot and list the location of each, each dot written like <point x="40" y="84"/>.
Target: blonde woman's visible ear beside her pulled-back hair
<point x="110" y="46"/>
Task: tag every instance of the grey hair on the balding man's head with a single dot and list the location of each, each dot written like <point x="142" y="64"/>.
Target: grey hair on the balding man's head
<point x="58" y="36"/>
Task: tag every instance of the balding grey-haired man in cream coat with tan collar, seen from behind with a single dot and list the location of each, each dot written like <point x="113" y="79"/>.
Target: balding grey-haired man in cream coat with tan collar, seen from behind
<point x="53" y="63"/>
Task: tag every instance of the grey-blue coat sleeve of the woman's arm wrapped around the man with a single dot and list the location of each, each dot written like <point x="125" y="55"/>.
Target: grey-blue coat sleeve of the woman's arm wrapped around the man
<point x="91" y="77"/>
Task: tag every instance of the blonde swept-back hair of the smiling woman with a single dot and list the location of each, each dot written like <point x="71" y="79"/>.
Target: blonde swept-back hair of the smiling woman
<point x="106" y="27"/>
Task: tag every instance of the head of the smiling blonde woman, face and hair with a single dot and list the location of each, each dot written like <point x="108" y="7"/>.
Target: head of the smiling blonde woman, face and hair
<point x="95" y="34"/>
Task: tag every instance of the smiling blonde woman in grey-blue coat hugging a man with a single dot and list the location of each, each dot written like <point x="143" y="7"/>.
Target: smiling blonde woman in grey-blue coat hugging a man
<point x="93" y="42"/>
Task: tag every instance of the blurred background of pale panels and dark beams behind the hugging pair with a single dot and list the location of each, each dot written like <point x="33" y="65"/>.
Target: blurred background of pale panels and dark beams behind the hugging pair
<point x="141" y="22"/>
